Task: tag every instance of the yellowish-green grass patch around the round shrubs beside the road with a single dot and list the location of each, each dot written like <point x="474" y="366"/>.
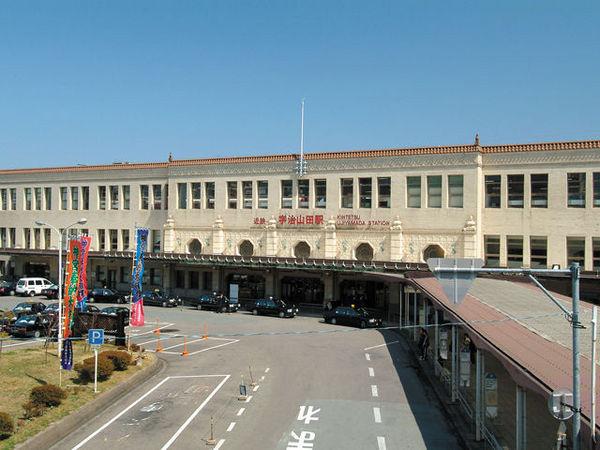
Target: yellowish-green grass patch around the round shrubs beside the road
<point x="23" y="369"/>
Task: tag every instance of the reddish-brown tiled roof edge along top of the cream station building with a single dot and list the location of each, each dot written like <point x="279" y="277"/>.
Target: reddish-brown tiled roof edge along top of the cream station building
<point x="508" y="148"/>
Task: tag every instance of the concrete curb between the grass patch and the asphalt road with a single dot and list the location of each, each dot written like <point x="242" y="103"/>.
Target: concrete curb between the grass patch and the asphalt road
<point x="58" y="430"/>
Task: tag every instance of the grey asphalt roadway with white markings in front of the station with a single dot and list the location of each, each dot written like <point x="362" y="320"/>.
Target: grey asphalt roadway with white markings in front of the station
<point x="310" y="385"/>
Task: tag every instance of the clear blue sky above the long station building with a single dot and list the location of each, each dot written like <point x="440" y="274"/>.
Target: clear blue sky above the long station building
<point x="103" y="81"/>
